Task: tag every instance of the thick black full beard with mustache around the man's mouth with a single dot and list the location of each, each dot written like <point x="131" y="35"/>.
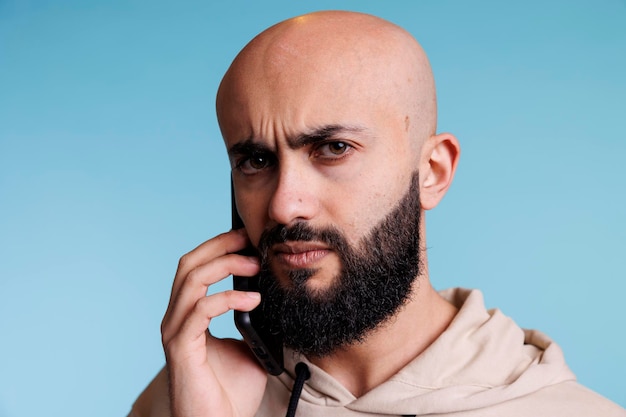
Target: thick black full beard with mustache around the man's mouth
<point x="375" y="281"/>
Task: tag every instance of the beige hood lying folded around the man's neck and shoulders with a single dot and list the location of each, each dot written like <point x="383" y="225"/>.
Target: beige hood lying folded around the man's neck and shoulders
<point x="482" y="359"/>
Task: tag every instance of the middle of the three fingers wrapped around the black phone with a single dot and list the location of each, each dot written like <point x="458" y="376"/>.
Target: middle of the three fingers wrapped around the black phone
<point x="196" y="283"/>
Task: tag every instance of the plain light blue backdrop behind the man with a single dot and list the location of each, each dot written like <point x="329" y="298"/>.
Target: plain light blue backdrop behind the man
<point x="112" y="167"/>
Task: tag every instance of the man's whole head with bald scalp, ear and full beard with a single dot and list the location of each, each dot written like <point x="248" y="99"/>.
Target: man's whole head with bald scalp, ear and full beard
<point x="329" y="120"/>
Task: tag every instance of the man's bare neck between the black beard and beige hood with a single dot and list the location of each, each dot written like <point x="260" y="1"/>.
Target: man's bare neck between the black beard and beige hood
<point x="363" y="366"/>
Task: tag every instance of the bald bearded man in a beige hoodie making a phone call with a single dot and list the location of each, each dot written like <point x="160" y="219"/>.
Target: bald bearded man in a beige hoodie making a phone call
<point x="330" y="124"/>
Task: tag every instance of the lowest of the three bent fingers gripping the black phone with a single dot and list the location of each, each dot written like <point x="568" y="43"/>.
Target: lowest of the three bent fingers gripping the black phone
<point x="192" y="333"/>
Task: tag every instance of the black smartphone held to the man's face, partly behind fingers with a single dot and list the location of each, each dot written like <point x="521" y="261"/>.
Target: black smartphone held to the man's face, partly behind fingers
<point x="266" y="346"/>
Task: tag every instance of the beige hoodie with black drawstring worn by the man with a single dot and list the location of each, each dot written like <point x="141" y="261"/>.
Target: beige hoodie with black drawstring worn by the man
<point x="482" y="365"/>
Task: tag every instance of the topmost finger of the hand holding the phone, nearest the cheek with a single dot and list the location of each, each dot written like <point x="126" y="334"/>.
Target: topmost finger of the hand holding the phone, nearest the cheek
<point x="225" y="243"/>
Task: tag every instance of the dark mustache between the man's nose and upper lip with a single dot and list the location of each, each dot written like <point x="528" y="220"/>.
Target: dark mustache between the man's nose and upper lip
<point x="300" y="232"/>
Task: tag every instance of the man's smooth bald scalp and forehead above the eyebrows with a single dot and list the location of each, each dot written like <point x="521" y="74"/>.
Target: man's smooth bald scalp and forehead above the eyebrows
<point x="297" y="70"/>
